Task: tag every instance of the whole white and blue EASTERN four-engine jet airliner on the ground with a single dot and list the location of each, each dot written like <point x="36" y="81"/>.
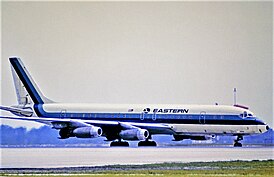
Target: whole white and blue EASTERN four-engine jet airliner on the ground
<point x="128" y="122"/>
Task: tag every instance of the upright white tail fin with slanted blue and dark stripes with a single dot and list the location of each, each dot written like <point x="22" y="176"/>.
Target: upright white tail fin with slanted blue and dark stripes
<point x="30" y="86"/>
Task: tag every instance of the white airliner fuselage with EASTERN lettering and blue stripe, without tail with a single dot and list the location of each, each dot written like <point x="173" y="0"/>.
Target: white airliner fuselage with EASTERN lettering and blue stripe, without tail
<point x="183" y="119"/>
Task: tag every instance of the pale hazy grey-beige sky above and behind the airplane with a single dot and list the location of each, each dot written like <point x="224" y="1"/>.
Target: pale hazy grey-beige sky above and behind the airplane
<point x="142" y="52"/>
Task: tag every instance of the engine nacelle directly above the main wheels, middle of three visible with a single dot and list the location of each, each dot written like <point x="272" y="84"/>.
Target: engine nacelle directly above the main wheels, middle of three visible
<point x="134" y="134"/>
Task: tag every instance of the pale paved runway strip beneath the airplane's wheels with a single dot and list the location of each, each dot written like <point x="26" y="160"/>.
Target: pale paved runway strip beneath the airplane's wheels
<point x="78" y="157"/>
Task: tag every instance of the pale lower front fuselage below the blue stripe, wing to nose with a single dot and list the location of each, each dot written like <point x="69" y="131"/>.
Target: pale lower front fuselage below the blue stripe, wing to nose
<point x="217" y="129"/>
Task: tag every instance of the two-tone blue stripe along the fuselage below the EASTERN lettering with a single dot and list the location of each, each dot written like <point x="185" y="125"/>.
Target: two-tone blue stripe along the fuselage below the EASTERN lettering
<point x="150" y="118"/>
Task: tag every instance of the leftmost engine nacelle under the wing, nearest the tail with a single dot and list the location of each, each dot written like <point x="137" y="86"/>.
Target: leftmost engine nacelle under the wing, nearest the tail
<point x="87" y="132"/>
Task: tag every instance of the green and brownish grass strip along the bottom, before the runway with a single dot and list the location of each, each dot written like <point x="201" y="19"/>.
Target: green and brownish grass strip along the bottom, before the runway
<point x="229" y="168"/>
